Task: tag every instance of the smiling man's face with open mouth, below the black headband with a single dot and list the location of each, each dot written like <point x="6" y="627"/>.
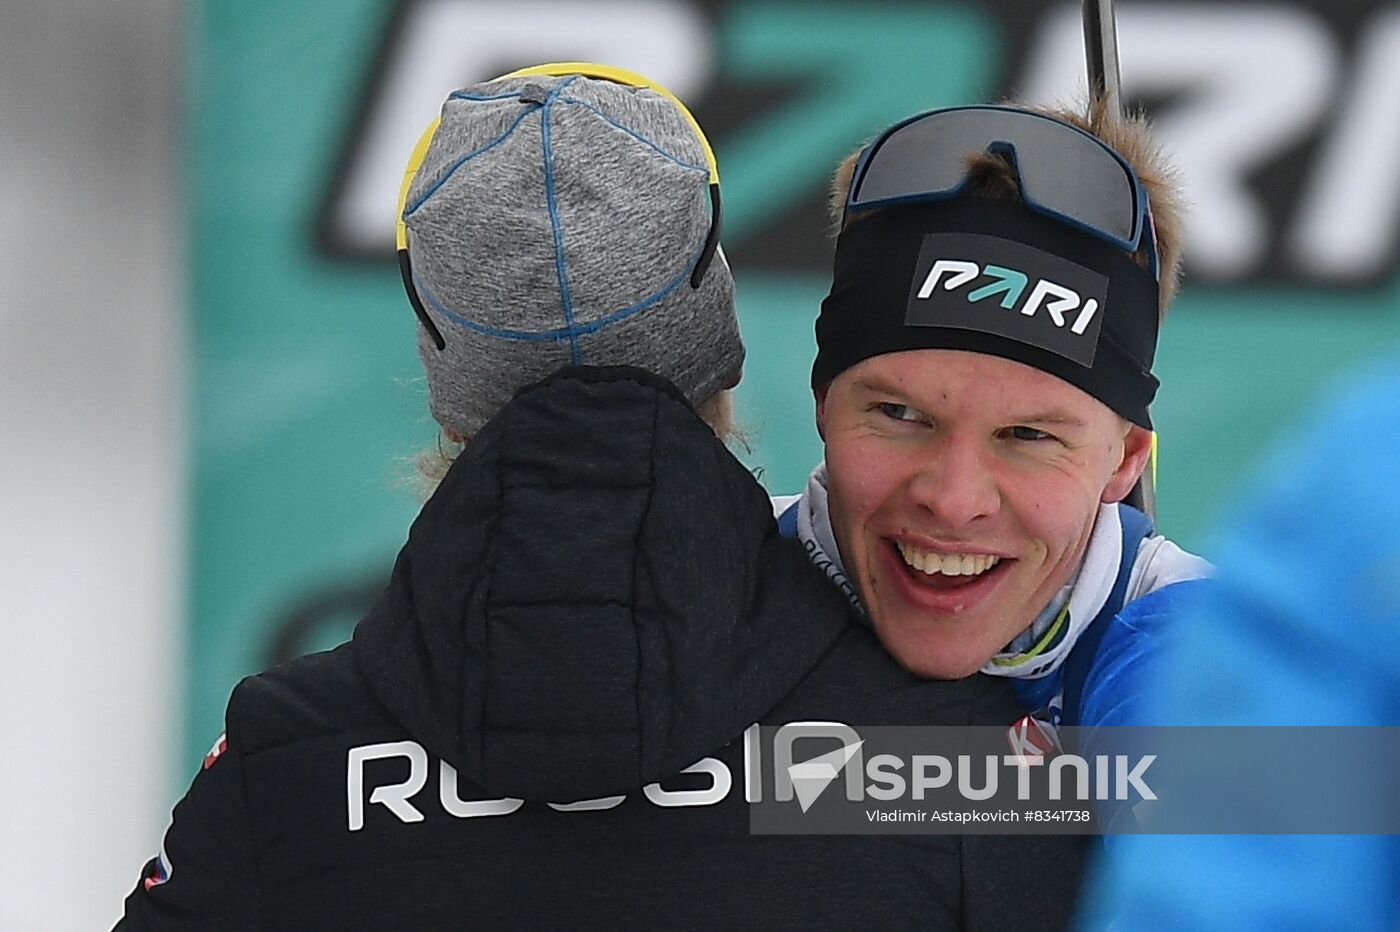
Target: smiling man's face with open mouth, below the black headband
<point x="962" y="493"/>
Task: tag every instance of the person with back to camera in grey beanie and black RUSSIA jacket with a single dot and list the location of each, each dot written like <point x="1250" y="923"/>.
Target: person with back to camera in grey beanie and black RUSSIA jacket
<point x="545" y="721"/>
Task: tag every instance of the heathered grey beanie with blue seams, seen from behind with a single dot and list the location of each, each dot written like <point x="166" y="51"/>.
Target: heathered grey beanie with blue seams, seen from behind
<point x="556" y="220"/>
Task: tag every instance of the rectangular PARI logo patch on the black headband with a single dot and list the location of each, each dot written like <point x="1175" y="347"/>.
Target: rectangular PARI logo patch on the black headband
<point x="972" y="282"/>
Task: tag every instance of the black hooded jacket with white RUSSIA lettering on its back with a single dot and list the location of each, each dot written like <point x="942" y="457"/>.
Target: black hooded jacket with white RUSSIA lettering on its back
<point x="594" y="601"/>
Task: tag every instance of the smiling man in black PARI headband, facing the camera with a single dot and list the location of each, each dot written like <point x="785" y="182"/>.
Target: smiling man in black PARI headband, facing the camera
<point x="983" y="381"/>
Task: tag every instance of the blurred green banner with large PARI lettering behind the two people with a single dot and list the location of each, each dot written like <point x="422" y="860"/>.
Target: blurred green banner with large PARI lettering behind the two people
<point x="309" y="400"/>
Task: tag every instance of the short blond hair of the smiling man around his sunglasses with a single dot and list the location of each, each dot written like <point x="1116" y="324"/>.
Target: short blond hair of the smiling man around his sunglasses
<point x="992" y="176"/>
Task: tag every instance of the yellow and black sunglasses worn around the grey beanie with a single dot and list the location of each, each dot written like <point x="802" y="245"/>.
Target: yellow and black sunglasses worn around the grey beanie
<point x="558" y="69"/>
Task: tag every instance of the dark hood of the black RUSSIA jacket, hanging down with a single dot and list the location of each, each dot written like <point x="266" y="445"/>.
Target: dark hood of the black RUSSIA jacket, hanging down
<point x="594" y="598"/>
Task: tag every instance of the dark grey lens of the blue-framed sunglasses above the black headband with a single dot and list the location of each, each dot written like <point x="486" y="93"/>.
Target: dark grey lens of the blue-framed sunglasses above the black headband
<point x="1063" y="171"/>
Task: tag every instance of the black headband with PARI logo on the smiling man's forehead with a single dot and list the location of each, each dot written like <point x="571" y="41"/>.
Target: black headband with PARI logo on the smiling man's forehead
<point x="992" y="276"/>
